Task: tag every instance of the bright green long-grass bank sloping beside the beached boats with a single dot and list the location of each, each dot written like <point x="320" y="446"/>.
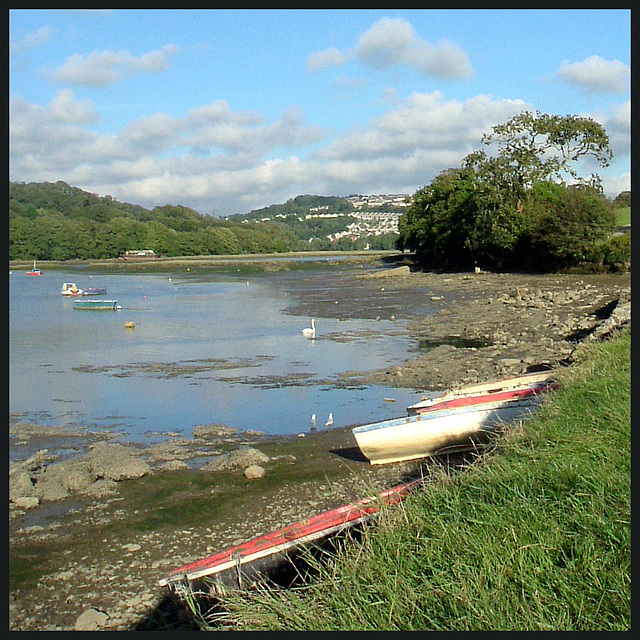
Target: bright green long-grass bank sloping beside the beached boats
<point x="534" y="536"/>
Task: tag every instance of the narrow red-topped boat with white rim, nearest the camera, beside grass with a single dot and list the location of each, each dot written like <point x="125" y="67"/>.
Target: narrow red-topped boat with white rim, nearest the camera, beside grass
<point x="257" y="559"/>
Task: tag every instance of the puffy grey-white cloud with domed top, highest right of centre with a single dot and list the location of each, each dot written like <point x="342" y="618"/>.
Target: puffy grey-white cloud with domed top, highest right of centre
<point x="394" y="42"/>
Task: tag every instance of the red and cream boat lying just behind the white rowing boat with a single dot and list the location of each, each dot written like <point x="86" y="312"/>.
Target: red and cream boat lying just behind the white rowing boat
<point x="519" y="386"/>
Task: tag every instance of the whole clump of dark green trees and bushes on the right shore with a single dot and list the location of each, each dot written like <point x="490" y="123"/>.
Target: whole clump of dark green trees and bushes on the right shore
<point x="512" y="208"/>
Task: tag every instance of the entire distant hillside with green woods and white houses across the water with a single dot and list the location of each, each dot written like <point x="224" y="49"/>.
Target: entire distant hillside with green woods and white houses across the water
<point x="55" y="221"/>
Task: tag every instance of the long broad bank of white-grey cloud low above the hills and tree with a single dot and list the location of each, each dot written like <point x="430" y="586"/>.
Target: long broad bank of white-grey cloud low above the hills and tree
<point x="232" y="161"/>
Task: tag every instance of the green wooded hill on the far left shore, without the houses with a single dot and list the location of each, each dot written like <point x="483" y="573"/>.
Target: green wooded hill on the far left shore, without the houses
<point x="54" y="221"/>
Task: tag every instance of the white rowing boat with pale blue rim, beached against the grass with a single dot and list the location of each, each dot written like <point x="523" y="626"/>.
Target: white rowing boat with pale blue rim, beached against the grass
<point x="441" y="430"/>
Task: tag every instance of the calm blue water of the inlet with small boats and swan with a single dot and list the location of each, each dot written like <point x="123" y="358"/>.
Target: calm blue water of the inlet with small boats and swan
<point x="223" y="351"/>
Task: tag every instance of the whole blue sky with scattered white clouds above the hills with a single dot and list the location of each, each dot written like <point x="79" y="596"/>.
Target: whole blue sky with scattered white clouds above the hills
<point x="230" y="110"/>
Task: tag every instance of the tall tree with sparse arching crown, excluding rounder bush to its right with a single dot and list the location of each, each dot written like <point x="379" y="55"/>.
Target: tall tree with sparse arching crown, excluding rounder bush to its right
<point x="479" y="213"/>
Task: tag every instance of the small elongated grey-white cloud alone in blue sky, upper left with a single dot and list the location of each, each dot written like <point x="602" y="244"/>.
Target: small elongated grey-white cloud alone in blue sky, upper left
<point x="102" y="68"/>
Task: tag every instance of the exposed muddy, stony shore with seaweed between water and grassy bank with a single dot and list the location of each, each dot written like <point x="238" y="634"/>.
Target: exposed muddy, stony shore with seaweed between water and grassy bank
<point x="91" y="533"/>
